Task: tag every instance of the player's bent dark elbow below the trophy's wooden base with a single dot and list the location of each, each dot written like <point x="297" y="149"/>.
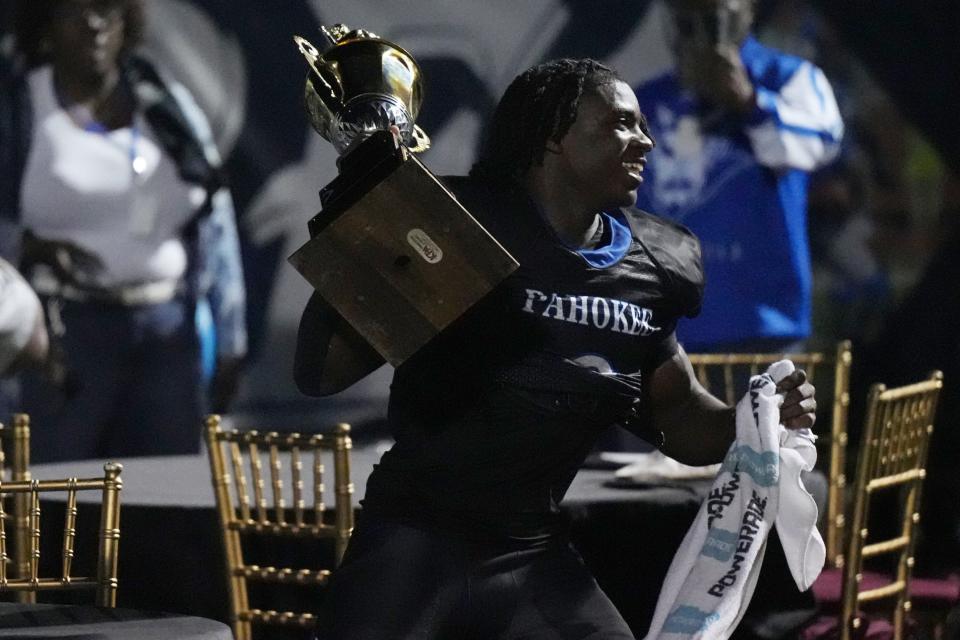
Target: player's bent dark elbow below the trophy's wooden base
<point x="330" y="354"/>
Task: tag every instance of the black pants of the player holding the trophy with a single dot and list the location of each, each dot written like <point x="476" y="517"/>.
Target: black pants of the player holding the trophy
<point x="399" y="582"/>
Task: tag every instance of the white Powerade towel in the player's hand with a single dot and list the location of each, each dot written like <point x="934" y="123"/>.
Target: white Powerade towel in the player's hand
<point x="714" y="572"/>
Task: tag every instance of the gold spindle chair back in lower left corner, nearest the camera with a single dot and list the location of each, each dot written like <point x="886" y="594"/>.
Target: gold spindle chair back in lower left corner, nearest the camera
<point x="29" y="579"/>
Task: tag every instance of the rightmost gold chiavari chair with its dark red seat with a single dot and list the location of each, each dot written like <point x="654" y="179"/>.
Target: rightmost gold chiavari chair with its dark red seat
<point x="891" y="467"/>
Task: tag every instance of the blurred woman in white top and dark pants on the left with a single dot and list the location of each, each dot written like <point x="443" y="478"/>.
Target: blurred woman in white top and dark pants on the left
<point x="115" y="204"/>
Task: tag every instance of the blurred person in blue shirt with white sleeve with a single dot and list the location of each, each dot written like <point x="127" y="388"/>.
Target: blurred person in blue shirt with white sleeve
<point x="739" y="127"/>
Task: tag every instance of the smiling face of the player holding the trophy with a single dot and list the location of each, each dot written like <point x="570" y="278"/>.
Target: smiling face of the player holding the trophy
<point x="604" y="151"/>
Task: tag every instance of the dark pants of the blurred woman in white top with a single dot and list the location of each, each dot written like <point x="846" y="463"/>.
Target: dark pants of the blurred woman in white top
<point x="137" y="389"/>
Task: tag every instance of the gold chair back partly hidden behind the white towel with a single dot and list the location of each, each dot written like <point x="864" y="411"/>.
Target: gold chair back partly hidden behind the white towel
<point x="726" y="375"/>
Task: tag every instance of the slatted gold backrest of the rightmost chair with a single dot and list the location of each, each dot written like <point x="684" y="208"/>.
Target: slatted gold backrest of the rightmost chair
<point x="890" y="466"/>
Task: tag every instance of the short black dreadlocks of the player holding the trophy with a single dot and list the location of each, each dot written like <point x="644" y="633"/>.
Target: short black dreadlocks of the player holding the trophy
<point x="538" y="107"/>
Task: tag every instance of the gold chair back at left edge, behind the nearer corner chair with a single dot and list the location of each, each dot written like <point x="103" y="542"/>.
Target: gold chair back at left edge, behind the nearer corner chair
<point x="15" y="467"/>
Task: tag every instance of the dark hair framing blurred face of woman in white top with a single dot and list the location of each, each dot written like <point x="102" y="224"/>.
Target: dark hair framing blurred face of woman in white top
<point x="32" y="19"/>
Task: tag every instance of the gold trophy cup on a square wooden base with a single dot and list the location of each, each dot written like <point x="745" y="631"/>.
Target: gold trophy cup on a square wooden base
<point x="391" y="249"/>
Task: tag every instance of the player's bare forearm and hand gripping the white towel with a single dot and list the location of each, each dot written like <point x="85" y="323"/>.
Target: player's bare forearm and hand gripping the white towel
<point x="698" y="428"/>
